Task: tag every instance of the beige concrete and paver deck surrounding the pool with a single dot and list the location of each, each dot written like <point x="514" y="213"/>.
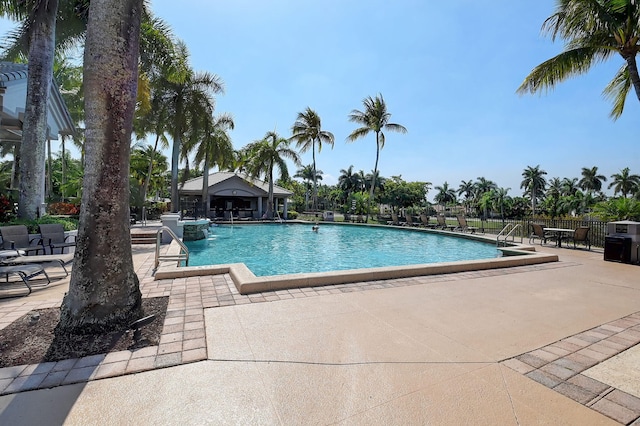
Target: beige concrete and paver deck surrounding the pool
<point x="554" y="343"/>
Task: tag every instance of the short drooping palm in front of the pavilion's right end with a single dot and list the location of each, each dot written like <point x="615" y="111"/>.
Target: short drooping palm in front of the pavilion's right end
<point x="268" y="154"/>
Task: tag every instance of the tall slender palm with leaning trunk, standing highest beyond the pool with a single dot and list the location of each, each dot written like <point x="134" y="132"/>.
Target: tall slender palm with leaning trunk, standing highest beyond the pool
<point x="374" y="118"/>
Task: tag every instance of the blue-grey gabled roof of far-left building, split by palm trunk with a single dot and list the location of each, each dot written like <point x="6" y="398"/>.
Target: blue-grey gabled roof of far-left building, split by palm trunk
<point x="13" y="95"/>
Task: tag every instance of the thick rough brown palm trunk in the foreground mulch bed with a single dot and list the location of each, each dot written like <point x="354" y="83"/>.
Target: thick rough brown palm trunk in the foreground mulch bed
<point x="104" y="292"/>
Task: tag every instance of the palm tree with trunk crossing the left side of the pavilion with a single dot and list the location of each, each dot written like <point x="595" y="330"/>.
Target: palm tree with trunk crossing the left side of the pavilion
<point x="214" y="149"/>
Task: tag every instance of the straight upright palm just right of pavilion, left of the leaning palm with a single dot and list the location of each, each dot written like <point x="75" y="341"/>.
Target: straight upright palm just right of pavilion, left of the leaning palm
<point x="307" y="132"/>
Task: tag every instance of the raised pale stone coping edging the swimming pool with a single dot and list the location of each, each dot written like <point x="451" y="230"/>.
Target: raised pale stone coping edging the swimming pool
<point x="247" y="282"/>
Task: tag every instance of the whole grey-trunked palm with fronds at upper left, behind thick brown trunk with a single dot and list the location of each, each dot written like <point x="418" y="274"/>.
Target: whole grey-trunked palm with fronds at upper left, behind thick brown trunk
<point x="45" y="26"/>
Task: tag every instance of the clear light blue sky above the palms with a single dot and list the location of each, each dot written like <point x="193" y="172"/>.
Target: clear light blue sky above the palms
<point x="448" y="72"/>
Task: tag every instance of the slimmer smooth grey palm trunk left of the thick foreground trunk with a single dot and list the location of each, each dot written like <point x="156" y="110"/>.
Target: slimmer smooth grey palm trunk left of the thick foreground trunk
<point x="34" y="129"/>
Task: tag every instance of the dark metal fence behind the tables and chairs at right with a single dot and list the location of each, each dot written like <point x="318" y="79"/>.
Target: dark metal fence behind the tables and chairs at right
<point x="597" y="230"/>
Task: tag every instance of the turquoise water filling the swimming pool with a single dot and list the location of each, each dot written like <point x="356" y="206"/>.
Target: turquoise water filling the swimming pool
<point x="276" y="249"/>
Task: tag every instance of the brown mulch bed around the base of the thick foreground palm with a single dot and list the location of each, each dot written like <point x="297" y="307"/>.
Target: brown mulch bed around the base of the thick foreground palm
<point x="31" y="340"/>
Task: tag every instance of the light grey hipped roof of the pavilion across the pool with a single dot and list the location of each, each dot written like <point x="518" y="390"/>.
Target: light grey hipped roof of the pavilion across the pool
<point x="225" y="180"/>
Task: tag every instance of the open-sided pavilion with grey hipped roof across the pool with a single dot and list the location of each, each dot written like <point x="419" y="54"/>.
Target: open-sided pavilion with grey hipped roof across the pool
<point x="234" y="195"/>
